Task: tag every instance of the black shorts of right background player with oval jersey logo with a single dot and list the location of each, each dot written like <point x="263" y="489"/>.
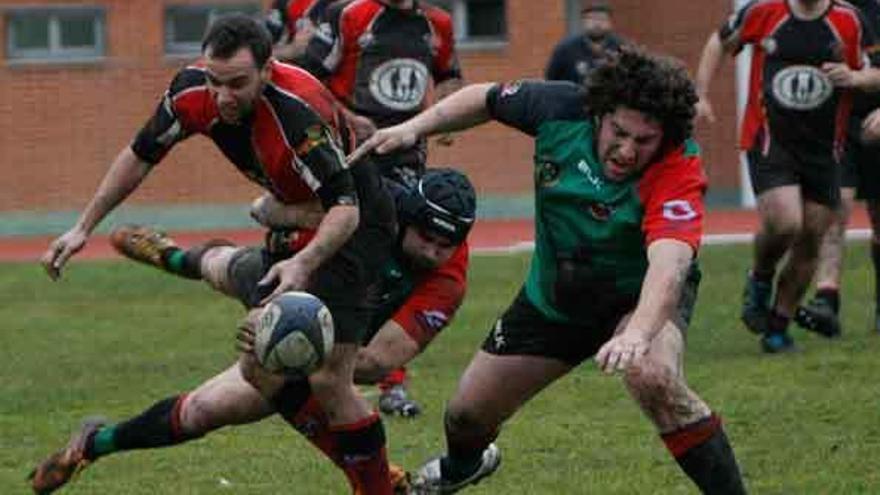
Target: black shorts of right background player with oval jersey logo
<point x="816" y="171"/>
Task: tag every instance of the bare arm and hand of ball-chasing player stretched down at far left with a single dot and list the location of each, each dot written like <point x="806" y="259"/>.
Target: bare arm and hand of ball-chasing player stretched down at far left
<point x="123" y="177"/>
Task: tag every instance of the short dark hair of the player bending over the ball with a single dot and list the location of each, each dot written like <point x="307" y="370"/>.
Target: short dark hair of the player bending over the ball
<point x="231" y="32"/>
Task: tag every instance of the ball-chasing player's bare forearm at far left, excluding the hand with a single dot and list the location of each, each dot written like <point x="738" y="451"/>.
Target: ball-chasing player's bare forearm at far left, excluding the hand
<point x="123" y="177"/>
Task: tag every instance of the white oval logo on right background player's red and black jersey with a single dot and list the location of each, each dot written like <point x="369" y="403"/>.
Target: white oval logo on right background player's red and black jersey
<point x="802" y="87"/>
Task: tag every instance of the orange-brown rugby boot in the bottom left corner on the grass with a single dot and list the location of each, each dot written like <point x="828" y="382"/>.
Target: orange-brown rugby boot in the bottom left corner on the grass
<point x="63" y="465"/>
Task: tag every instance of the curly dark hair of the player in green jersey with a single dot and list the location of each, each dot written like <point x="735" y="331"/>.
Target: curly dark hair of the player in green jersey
<point x="657" y="86"/>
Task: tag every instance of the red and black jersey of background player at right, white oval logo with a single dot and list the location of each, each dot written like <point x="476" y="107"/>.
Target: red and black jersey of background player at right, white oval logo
<point x="791" y="99"/>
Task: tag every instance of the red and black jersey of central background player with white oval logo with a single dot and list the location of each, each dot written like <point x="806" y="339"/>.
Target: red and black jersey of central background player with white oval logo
<point x="383" y="61"/>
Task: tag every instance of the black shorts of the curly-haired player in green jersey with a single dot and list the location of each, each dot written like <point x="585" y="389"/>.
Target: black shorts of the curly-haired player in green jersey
<point x="524" y="330"/>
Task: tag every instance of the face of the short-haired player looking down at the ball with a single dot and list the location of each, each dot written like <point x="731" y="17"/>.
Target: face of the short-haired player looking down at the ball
<point x="235" y="84"/>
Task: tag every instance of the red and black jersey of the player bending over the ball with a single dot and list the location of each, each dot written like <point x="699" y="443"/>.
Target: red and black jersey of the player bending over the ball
<point x="293" y="143"/>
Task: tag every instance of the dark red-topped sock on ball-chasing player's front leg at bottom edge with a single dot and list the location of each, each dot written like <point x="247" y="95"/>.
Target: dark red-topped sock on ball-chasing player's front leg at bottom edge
<point x="362" y="448"/>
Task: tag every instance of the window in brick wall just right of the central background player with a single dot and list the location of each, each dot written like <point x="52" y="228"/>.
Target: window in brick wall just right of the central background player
<point x="477" y="22"/>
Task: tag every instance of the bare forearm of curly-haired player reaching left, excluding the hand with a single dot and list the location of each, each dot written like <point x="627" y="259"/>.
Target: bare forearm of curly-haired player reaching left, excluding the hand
<point x="461" y="110"/>
